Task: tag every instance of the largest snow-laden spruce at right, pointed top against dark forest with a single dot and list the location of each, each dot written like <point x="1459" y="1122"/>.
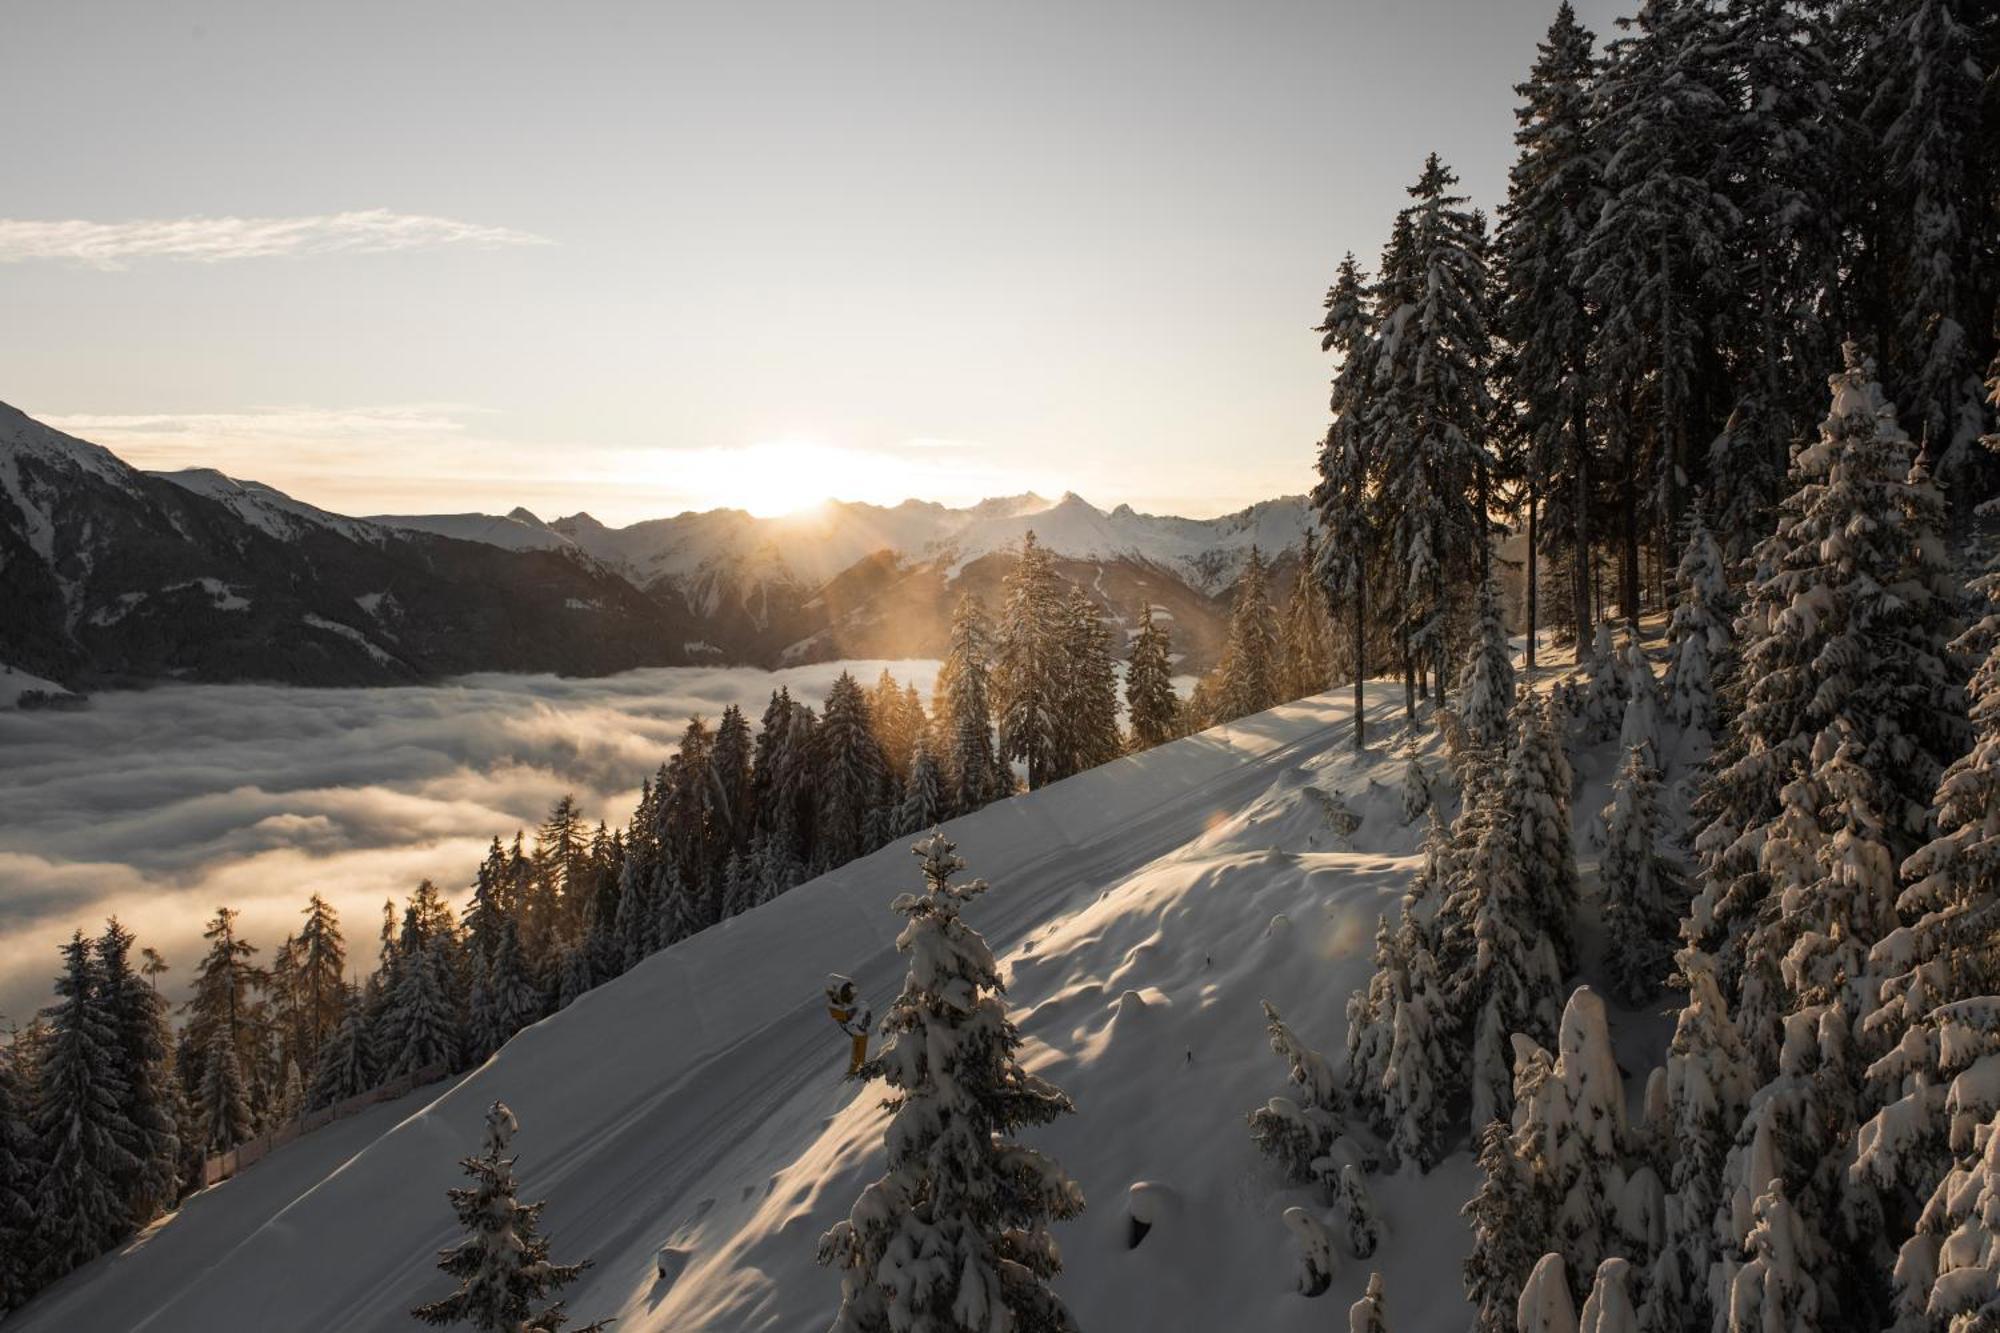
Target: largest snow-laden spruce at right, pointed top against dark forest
<point x="1841" y="627"/>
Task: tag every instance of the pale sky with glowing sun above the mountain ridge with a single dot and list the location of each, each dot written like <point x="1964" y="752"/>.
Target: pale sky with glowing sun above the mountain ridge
<point x="445" y="255"/>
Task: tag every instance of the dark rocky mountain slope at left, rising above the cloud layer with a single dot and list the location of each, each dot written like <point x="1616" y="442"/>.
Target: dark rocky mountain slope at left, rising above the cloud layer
<point x="111" y="575"/>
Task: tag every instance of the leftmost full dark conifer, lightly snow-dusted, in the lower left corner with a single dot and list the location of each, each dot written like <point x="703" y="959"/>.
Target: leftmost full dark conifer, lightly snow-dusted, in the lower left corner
<point x="81" y="1134"/>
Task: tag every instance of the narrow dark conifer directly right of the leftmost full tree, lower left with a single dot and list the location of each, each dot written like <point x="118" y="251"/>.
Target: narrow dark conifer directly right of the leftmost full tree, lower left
<point x="137" y="1018"/>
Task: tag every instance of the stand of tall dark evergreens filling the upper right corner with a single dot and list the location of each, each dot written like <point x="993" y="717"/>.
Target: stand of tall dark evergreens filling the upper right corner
<point x="1701" y="213"/>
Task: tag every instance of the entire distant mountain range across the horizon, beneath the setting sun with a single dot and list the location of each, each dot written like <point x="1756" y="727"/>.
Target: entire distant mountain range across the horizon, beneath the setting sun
<point x="115" y="577"/>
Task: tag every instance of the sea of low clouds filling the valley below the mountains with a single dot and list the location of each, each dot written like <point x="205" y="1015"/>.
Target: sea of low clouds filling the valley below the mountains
<point x="161" y="806"/>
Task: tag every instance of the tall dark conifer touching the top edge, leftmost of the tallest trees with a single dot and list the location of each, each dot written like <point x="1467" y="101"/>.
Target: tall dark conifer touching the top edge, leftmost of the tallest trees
<point x="1555" y="195"/>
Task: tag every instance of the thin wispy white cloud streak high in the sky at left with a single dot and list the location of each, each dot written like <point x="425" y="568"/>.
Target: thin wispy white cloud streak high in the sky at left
<point x="209" y="241"/>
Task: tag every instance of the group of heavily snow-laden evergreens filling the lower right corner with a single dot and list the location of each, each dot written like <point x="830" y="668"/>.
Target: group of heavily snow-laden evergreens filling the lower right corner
<point x="1819" y="1148"/>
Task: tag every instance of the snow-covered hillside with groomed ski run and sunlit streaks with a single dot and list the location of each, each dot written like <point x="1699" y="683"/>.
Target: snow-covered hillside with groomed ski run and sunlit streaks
<point x="1143" y="912"/>
